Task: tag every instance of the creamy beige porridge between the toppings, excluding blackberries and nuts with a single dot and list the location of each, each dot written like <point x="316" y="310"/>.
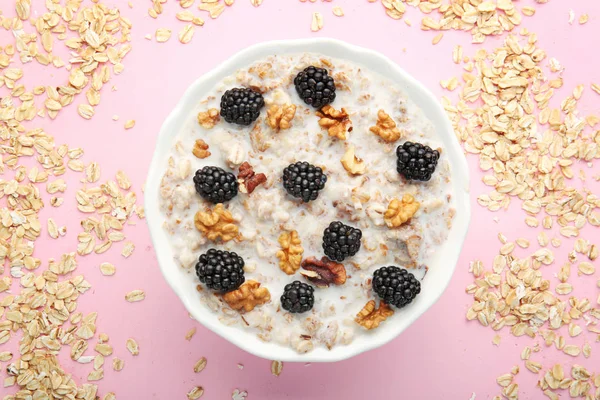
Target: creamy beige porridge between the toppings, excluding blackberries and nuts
<point x="356" y="200"/>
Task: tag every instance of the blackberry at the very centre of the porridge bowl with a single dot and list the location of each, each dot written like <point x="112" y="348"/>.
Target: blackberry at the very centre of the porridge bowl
<point x="303" y="180"/>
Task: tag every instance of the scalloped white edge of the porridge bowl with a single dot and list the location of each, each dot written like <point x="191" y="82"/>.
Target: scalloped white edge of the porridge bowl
<point x="352" y="53"/>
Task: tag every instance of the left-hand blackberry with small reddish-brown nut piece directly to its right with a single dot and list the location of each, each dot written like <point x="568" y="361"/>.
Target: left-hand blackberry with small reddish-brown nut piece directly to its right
<point x="215" y="184"/>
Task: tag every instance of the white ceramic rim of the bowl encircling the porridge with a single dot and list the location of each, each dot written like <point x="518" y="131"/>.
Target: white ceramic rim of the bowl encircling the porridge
<point x="440" y="269"/>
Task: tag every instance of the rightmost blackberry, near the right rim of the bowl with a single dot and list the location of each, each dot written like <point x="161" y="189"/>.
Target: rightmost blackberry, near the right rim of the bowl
<point x="416" y="161"/>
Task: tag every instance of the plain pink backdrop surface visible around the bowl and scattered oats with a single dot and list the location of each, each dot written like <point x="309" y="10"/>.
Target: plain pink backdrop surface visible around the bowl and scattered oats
<point x="442" y="356"/>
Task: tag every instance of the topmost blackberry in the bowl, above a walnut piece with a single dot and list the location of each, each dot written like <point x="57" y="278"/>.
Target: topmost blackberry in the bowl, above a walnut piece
<point x="315" y="86"/>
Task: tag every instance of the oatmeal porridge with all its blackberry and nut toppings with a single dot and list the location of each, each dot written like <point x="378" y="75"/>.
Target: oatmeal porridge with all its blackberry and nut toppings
<point x="305" y="195"/>
